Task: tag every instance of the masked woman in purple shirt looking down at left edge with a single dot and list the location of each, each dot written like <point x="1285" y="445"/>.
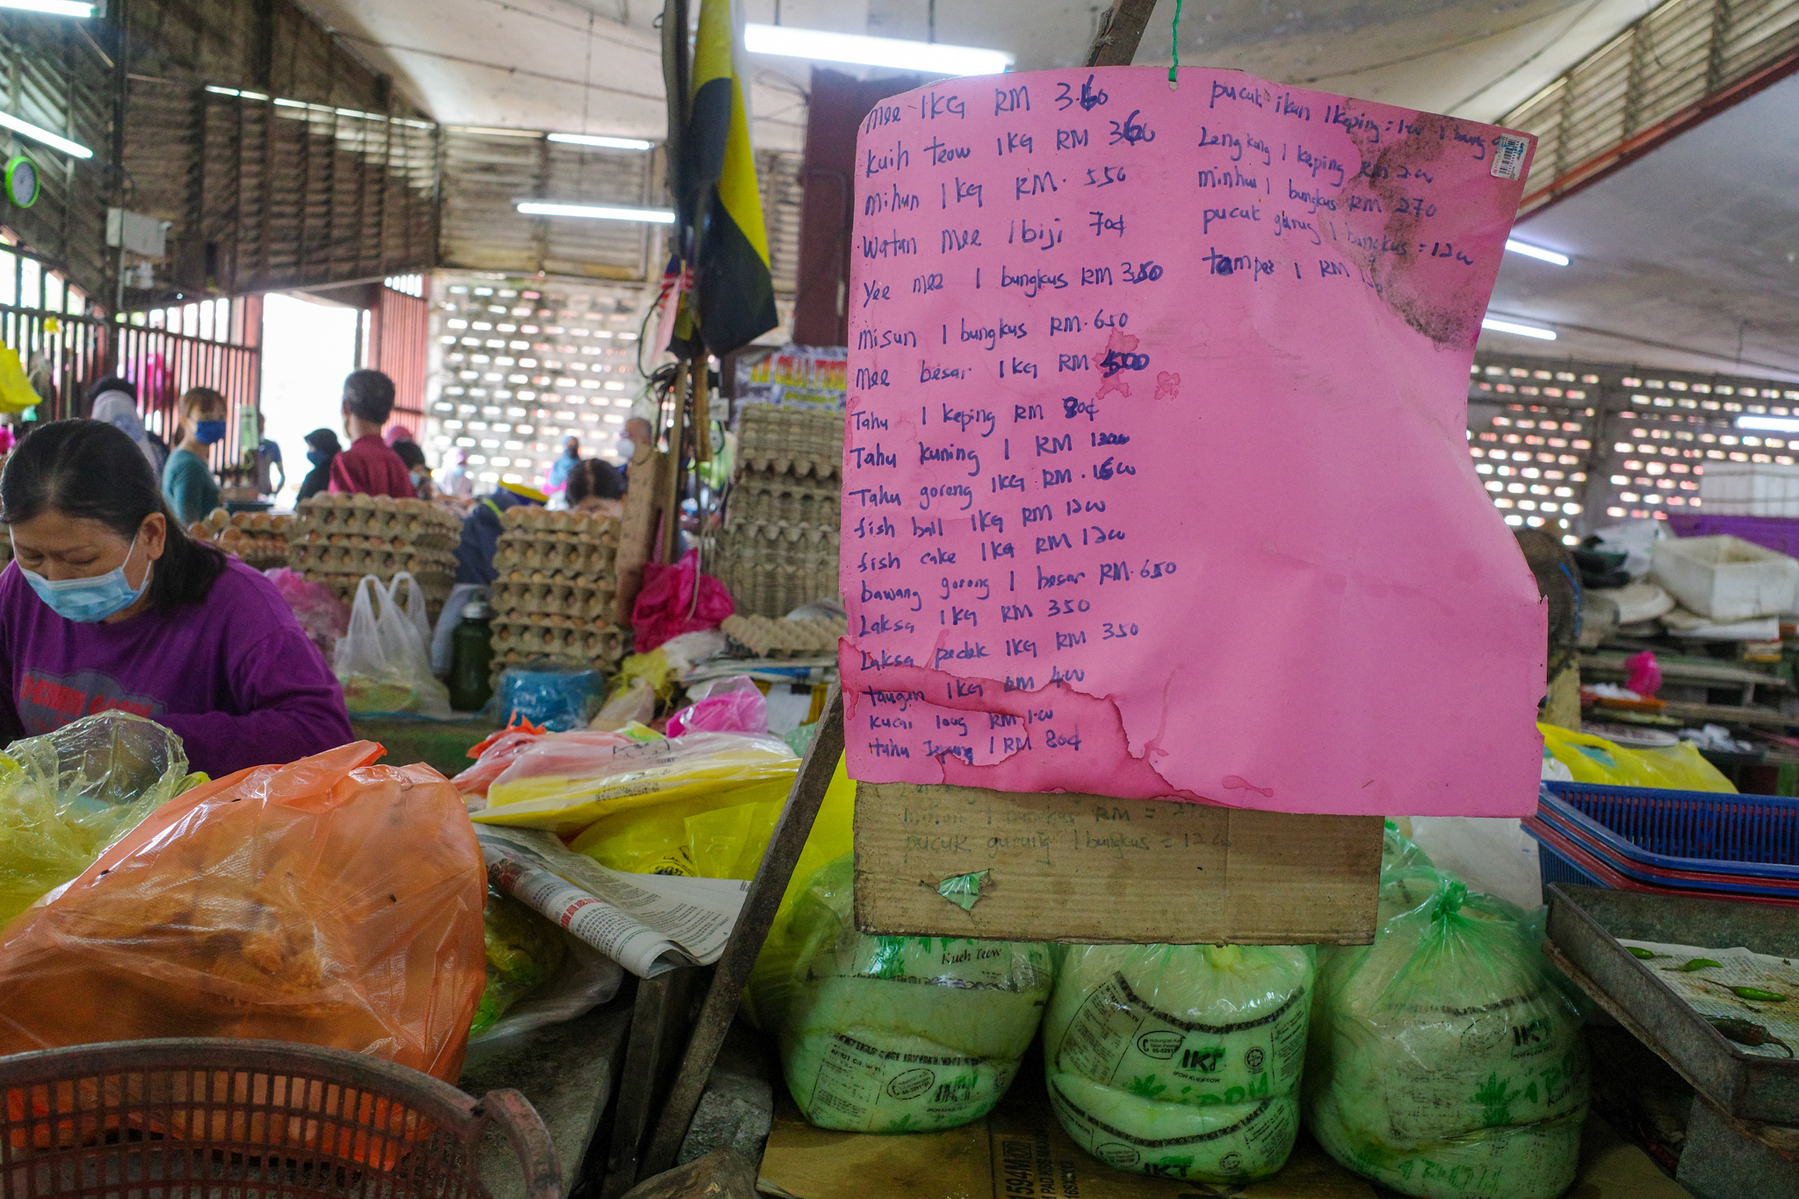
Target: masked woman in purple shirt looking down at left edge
<point x="109" y="604"/>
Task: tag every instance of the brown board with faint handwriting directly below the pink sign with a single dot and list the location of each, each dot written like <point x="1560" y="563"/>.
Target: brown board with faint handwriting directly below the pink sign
<point x="1091" y="869"/>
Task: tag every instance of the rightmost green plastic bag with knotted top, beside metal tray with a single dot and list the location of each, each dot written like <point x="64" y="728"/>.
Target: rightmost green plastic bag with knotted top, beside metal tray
<point x="1445" y="1059"/>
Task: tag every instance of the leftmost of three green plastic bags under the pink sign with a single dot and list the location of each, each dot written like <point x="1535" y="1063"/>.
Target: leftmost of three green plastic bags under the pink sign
<point x="888" y="1034"/>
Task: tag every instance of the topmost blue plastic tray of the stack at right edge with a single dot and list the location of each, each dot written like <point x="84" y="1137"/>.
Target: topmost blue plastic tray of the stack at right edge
<point x="1697" y="831"/>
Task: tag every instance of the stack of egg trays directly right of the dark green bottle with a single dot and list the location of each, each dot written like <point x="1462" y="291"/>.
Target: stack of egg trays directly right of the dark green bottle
<point x="553" y="591"/>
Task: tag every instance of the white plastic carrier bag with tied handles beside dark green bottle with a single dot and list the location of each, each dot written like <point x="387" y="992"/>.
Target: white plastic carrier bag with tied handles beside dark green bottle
<point x="384" y="662"/>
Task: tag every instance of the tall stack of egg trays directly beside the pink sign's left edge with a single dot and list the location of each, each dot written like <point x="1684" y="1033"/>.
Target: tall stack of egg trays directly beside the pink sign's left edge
<point x="780" y="546"/>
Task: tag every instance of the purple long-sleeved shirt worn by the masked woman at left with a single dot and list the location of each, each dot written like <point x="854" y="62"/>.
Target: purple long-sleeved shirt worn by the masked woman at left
<point x="235" y="676"/>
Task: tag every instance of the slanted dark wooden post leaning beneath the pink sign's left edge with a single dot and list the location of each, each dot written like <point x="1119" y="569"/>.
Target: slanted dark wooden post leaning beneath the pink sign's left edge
<point x="747" y="937"/>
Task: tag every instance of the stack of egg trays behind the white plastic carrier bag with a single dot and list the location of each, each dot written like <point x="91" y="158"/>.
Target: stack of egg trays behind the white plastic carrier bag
<point x="339" y="539"/>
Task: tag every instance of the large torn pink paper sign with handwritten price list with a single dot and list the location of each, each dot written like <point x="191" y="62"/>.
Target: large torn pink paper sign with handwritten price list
<point x="1156" y="462"/>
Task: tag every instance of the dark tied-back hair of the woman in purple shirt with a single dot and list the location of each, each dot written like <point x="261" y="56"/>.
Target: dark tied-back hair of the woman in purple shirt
<point x="94" y="473"/>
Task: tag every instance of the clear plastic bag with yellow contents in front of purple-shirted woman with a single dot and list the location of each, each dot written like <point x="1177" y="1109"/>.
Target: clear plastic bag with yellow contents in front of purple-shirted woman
<point x="69" y="795"/>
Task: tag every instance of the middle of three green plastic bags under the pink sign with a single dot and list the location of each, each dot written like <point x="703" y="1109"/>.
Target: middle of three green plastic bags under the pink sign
<point x="1181" y="1061"/>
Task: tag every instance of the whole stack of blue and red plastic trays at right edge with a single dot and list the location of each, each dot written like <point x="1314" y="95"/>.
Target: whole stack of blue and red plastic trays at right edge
<point x="1669" y="842"/>
